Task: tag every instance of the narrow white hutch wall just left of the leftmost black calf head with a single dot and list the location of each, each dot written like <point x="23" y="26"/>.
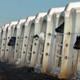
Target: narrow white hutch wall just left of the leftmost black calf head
<point x="8" y="49"/>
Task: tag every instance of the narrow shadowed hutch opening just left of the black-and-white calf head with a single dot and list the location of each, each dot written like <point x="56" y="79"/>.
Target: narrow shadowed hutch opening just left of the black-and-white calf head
<point x="30" y="41"/>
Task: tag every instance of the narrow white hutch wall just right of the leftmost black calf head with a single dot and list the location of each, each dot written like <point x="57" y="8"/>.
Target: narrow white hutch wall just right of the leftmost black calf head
<point x="19" y="38"/>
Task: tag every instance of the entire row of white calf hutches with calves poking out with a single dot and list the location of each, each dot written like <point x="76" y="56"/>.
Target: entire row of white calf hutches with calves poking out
<point x="49" y="42"/>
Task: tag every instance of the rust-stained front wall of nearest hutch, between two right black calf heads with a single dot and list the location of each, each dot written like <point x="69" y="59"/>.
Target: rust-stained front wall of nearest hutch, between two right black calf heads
<point x="70" y="29"/>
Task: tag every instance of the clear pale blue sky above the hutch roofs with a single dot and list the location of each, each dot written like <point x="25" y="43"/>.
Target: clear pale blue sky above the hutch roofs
<point x="13" y="10"/>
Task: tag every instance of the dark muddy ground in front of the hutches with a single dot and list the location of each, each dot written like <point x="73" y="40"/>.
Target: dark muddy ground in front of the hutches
<point x="9" y="72"/>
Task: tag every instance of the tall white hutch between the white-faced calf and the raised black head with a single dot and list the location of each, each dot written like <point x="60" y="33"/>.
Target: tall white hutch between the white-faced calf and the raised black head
<point x="49" y="49"/>
